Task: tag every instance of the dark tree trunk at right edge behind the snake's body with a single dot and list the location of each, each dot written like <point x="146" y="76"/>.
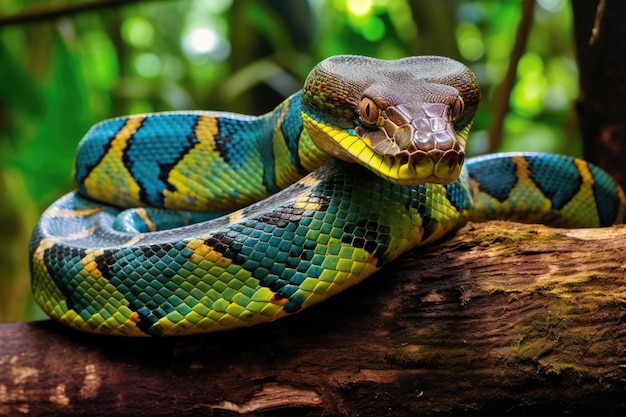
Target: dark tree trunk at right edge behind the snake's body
<point x="599" y="30"/>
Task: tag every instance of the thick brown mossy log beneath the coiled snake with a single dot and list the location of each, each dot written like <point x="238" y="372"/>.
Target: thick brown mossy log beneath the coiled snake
<point x="500" y="319"/>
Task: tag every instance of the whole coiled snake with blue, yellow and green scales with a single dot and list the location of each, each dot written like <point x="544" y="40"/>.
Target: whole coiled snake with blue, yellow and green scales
<point x="191" y="222"/>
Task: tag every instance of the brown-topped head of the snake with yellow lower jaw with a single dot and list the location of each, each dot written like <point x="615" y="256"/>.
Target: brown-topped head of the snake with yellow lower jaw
<point x="406" y="120"/>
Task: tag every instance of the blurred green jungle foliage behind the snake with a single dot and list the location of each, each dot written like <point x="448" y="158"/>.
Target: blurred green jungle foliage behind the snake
<point x="65" y="65"/>
